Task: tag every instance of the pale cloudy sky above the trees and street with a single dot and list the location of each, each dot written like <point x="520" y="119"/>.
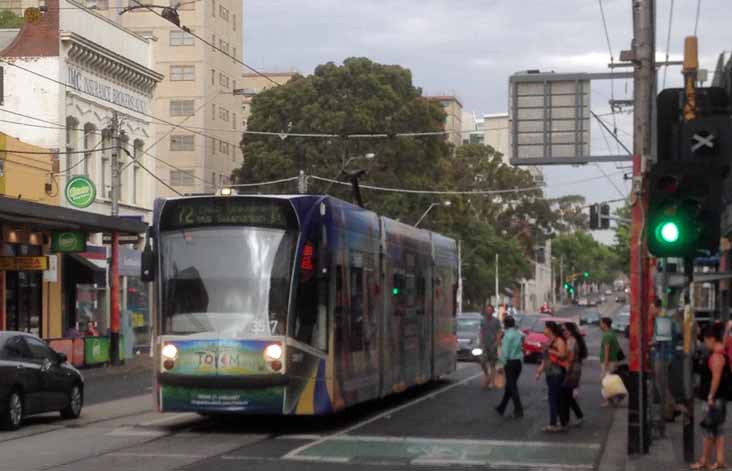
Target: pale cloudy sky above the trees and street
<point x="469" y="48"/>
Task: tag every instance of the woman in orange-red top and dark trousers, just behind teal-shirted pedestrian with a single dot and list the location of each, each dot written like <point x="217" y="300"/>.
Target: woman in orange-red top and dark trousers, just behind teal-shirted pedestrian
<point x="554" y="366"/>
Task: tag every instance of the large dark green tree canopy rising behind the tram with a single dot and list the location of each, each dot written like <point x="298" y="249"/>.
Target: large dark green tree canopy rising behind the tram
<point x="363" y="97"/>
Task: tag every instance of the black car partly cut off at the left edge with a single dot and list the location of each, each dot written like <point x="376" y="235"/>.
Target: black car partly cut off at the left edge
<point x="35" y="379"/>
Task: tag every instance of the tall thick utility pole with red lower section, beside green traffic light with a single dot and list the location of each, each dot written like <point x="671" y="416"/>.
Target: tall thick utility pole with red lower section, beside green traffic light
<point x="643" y="57"/>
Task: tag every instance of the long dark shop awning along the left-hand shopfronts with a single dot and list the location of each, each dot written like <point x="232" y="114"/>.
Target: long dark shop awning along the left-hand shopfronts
<point x="42" y="216"/>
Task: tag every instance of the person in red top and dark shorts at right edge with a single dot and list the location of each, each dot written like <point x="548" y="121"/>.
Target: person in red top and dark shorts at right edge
<point x="714" y="381"/>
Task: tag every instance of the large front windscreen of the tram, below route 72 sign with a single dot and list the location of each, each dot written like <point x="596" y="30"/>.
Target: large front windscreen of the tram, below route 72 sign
<point x="229" y="280"/>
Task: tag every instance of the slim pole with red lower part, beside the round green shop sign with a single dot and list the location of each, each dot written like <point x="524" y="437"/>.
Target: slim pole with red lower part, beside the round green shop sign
<point x="114" y="308"/>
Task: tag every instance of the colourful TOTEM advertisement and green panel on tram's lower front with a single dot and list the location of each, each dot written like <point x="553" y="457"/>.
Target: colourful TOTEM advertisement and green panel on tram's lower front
<point x="223" y="358"/>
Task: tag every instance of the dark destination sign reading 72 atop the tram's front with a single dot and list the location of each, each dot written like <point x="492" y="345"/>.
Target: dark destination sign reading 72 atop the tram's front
<point x="228" y="211"/>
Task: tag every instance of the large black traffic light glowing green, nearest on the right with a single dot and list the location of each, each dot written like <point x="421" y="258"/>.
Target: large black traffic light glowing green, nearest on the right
<point x="684" y="208"/>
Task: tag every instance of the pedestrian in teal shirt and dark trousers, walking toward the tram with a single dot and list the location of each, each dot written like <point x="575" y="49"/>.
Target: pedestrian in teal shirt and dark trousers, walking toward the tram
<point x="510" y="359"/>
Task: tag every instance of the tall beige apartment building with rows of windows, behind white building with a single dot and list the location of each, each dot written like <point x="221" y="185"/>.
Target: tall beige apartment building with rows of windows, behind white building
<point x="197" y="89"/>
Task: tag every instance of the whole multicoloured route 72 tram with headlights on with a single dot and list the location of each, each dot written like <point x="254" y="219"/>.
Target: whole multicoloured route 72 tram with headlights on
<point x="294" y="305"/>
